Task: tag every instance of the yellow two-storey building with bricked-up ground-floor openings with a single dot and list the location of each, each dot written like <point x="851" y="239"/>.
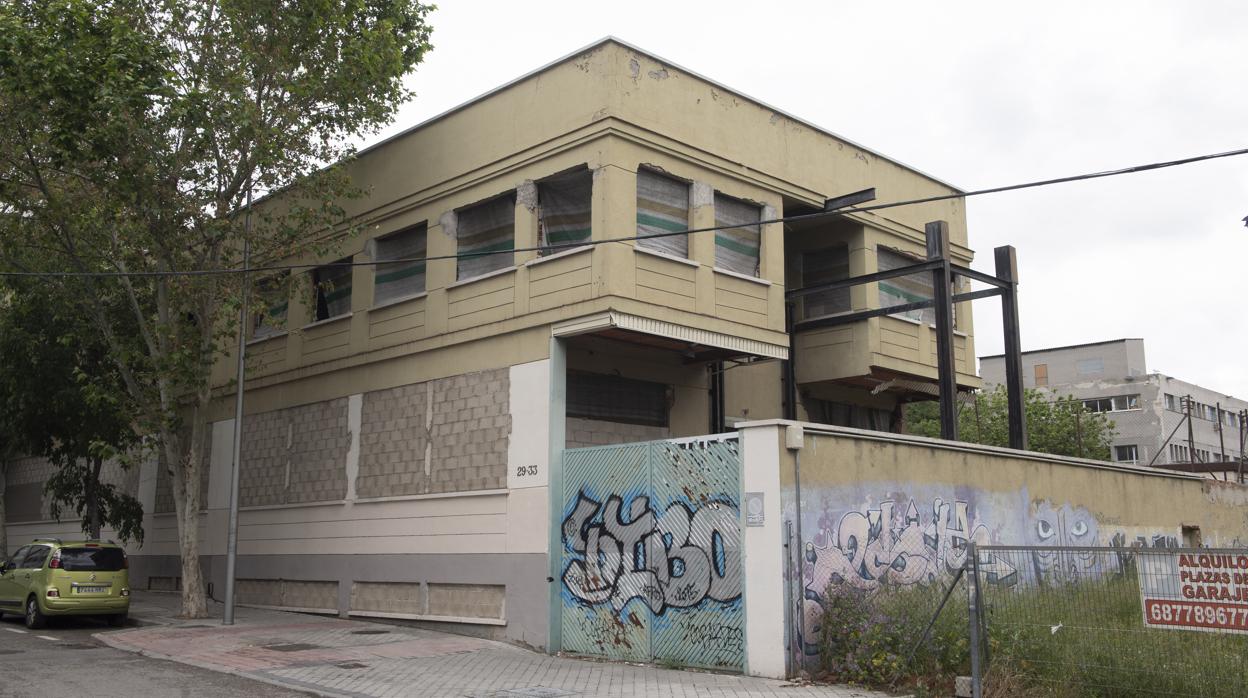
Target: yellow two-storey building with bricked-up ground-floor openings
<point x="402" y="418"/>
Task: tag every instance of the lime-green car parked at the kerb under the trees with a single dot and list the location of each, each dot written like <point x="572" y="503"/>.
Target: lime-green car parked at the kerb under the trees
<point x="51" y="578"/>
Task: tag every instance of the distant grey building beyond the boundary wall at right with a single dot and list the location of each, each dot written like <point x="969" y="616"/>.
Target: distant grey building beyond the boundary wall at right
<point x="1146" y="408"/>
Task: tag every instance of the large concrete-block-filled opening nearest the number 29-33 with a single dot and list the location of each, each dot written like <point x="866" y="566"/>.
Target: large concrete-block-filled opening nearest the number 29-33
<point x="449" y="435"/>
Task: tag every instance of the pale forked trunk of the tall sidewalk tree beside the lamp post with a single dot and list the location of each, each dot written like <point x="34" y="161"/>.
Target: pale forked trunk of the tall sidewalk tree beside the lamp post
<point x="184" y="470"/>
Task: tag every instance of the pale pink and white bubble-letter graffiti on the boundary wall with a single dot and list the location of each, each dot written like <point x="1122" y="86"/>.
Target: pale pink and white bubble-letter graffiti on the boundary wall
<point x="887" y="545"/>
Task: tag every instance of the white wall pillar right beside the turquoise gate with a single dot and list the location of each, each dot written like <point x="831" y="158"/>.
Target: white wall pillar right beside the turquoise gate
<point x="763" y="553"/>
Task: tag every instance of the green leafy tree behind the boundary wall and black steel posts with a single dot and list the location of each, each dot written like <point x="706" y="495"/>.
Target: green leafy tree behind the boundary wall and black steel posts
<point x="1063" y="426"/>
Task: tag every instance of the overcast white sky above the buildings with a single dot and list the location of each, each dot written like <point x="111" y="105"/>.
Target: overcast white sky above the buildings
<point x="979" y="94"/>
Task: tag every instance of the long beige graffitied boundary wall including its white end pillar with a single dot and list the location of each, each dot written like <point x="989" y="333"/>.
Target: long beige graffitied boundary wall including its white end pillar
<point x="864" y="494"/>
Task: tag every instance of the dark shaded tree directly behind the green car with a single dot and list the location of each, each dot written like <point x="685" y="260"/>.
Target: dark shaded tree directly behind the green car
<point x="62" y="399"/>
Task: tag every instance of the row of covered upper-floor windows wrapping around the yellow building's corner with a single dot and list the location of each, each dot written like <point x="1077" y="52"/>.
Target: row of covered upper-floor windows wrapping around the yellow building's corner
<point x="486" y="232"/>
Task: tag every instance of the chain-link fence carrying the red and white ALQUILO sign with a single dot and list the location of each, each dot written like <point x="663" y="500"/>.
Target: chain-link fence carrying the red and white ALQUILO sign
<point x="1073" y="621"/>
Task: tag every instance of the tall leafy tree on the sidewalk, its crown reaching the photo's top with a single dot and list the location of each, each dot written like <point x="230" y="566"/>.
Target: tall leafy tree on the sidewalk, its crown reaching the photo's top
<point x="133" y="137"/>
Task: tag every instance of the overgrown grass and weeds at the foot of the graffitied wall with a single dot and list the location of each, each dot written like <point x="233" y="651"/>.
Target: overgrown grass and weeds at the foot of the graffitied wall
<point x="1048" y="642"/>
